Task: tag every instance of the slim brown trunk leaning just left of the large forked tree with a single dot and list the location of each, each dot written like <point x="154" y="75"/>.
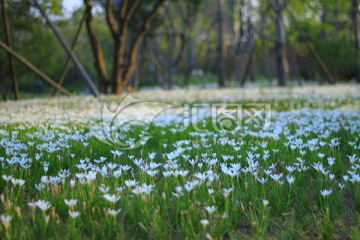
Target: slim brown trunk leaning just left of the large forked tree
<point x="99" y="61"/>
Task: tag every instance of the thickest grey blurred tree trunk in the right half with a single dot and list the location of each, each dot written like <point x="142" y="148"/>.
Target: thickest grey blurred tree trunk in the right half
<point x="281" y="57"/>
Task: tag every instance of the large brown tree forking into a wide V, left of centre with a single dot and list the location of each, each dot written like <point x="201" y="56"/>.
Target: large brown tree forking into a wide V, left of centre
<point x="125" y="18"/>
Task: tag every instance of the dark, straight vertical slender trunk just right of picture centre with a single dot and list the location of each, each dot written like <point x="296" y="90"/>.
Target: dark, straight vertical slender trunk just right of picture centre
<point x="220" y="44"/>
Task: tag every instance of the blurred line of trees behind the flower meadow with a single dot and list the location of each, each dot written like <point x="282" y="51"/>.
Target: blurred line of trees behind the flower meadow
<point x="128" y="44"/>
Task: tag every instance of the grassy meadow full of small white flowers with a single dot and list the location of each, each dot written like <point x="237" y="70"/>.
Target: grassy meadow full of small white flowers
<point x="298" y="178"/>
